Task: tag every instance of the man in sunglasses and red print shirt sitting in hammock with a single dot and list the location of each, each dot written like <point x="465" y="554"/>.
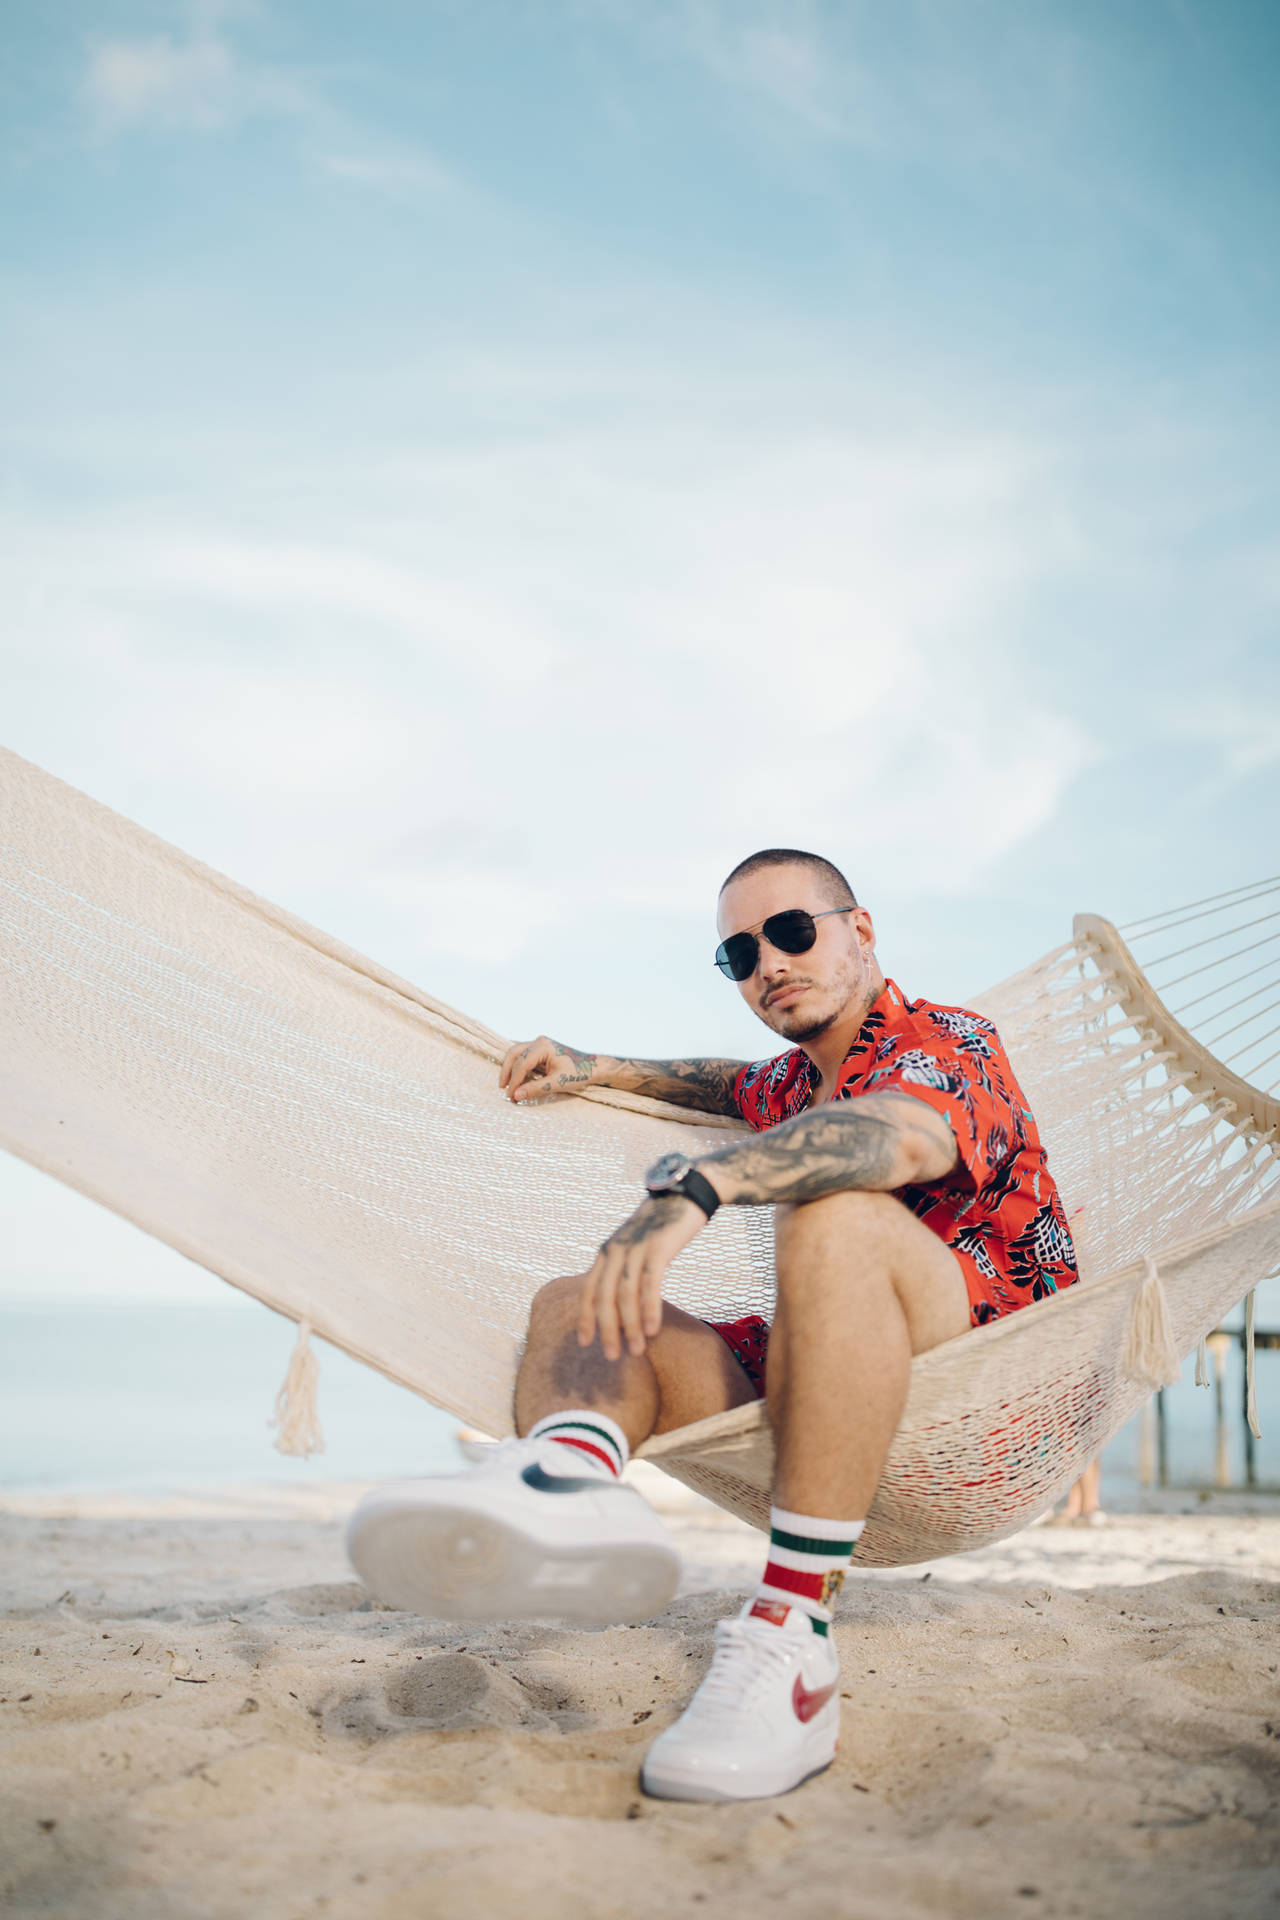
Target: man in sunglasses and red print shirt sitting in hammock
<point x="913" y="1201"/>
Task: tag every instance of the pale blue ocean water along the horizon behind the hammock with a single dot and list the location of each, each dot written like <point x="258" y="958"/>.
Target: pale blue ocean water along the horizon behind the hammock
<point x="162" y="1395"/>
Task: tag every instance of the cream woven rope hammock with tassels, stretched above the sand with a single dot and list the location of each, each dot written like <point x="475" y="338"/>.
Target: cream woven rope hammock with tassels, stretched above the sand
<point x="333" y="1141"/>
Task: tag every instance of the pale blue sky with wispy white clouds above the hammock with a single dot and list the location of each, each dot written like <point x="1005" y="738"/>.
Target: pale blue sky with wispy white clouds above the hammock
<point x="475" y="471"/>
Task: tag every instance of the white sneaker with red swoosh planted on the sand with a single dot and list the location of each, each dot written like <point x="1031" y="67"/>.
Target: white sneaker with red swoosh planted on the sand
<point x="767" y="1717"/>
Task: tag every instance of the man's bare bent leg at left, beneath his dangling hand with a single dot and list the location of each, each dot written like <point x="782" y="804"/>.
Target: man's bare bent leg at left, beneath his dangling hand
<point x="686" y="1376"/>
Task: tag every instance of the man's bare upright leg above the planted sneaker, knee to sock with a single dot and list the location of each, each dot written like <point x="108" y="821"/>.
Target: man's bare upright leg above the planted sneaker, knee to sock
<point x="863" y="1287"/>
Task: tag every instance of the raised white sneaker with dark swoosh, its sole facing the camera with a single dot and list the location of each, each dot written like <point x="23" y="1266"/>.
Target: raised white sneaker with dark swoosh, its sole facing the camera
<point x="515" y="1539"/>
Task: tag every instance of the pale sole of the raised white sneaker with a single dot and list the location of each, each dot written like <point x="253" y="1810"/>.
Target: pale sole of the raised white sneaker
<point x="452" y="1564"/>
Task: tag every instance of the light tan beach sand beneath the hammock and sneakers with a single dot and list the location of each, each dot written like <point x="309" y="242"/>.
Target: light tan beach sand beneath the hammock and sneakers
<point x="204" y="1716"/>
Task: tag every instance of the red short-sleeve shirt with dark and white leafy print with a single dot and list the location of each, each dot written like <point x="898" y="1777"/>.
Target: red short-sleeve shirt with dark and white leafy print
<point x="999" y="1209"/>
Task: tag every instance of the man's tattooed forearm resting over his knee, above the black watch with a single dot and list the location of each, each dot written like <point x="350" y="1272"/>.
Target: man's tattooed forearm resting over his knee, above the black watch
<point x="874" y="1143"/>
